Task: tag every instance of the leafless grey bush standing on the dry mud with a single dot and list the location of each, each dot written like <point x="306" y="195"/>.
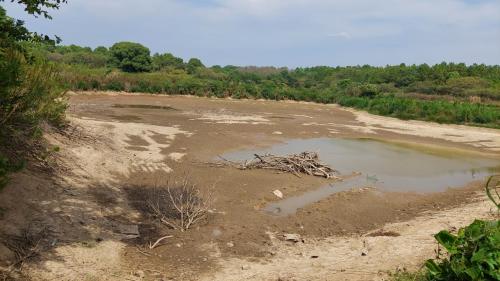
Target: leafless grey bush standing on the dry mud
<point x="180" y="205"/>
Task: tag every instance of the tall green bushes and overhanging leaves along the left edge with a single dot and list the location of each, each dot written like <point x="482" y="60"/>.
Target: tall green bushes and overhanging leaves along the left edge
<point x="30" y="91"/>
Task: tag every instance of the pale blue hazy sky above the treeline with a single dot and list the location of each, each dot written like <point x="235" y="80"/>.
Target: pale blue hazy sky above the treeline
<point x="291" y="33"/>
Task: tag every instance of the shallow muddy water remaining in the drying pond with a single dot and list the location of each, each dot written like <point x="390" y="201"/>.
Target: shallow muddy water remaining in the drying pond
<point x="382" y="165"/>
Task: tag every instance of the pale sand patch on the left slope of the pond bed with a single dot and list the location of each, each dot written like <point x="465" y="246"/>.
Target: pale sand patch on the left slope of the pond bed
<point x="114" y="153"/>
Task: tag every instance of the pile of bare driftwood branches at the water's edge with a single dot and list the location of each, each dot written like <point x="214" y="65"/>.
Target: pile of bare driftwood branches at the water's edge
<point x="302" y="163"/>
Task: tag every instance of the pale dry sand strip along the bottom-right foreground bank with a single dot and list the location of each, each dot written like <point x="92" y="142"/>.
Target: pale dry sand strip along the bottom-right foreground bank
<point x="354" y="258"/>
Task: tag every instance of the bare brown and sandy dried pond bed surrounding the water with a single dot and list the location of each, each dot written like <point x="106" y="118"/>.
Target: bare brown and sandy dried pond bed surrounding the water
<point x="121" y="144"/>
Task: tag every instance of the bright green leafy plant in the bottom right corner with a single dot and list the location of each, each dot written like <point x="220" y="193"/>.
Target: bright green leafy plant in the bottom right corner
<point x="474" y="254"/>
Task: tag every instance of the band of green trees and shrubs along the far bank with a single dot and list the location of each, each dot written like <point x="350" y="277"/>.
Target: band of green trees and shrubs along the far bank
<point x="445" y="93"/>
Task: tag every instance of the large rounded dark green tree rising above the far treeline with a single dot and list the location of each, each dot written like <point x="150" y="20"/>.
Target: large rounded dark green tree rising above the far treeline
<point x="130" y="57"/>
